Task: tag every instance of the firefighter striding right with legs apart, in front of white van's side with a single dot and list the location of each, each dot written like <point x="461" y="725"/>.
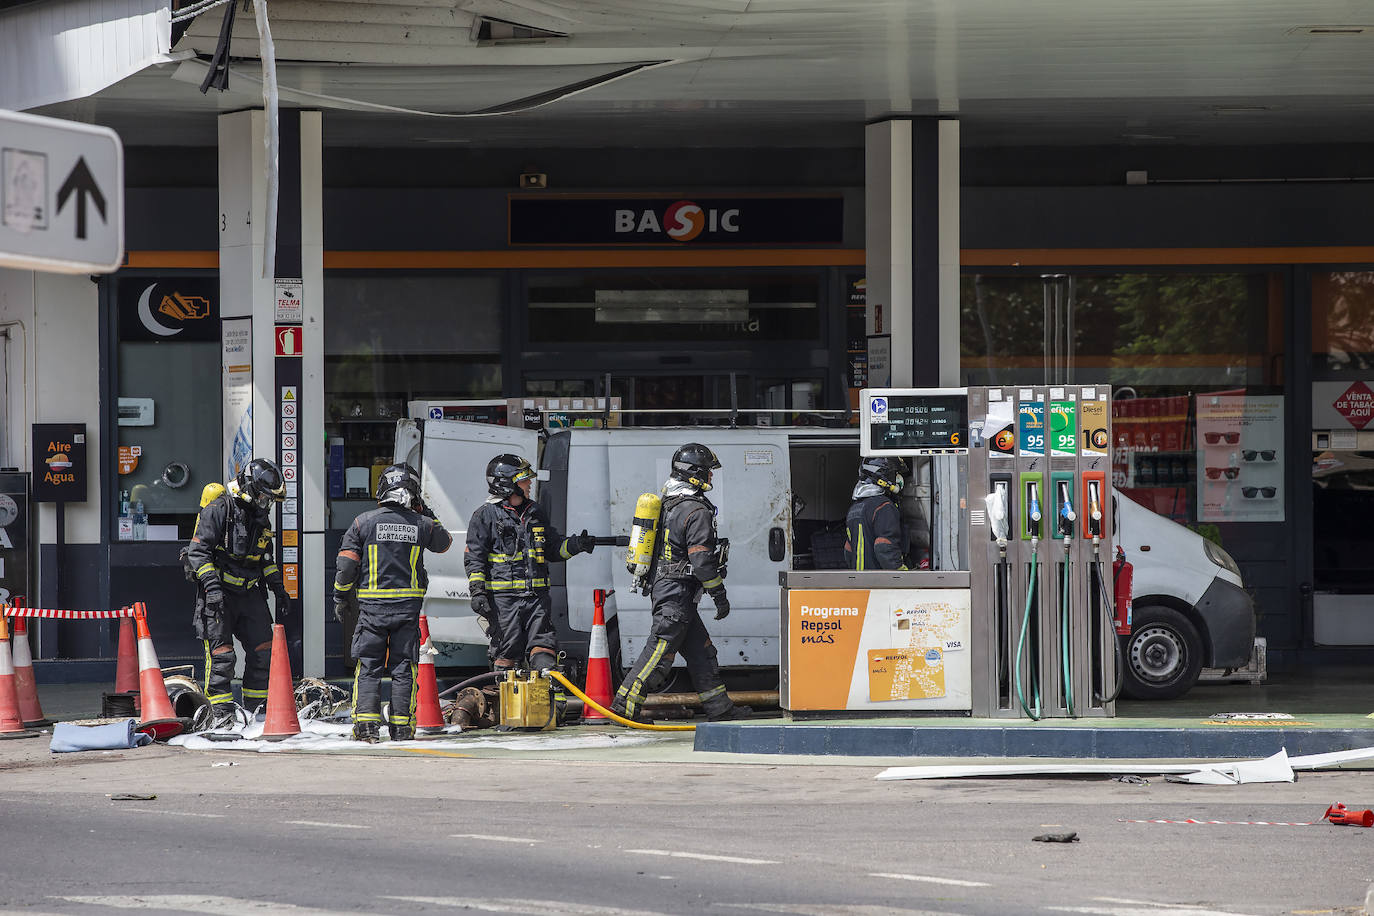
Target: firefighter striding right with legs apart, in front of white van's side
<point x="688" y="564"/>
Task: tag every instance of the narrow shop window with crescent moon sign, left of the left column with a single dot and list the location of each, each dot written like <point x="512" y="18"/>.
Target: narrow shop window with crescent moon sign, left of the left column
<point x="170" y="433"/>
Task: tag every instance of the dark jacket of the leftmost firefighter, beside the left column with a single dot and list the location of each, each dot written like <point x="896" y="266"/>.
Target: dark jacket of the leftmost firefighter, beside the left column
<point x="233" y="547"/>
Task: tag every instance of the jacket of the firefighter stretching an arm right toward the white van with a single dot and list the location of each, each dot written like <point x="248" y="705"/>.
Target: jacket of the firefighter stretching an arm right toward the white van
<point x="509" y="549"/>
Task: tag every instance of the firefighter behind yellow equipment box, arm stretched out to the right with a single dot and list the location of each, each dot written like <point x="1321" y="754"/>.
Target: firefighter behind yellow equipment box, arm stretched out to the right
<point x="510" y="545"/>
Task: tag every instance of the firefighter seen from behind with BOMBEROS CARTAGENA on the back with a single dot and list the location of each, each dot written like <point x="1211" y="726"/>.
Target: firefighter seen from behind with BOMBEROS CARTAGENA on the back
<point x="381" y="569"/>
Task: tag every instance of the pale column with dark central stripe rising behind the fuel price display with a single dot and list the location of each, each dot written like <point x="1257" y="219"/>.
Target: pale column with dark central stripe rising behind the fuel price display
<point x="912" y="233"/>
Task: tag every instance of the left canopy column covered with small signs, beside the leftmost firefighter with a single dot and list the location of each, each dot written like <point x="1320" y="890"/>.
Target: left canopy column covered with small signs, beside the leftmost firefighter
<point x="288" y="411"/>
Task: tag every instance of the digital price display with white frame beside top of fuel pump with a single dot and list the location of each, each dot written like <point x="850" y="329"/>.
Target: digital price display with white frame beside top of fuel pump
<point x="903" y="422"/>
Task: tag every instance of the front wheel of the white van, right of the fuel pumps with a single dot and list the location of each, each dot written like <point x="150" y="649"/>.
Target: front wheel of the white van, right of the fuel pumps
<point x="1163" y="654"/>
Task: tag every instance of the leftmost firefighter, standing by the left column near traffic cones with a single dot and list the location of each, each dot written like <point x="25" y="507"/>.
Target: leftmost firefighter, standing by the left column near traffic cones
<point x="234" y="562"/>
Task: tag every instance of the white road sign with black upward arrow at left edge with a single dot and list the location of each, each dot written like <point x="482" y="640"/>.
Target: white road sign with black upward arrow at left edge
<point x="61" y="196"/>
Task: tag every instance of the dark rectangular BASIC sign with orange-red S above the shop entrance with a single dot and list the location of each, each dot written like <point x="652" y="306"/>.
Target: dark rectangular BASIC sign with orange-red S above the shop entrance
<point x="638" y="220"/>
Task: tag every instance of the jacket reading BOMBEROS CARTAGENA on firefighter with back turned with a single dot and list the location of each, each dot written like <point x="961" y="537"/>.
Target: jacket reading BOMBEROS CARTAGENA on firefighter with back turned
<point x="388" y="547"/>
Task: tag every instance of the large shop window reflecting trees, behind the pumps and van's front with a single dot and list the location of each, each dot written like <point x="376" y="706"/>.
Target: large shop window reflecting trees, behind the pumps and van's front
<point x="1195" y="362"/>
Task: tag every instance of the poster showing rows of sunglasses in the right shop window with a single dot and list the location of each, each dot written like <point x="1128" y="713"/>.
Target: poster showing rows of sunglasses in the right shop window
<point x="1240" y="440"/>
